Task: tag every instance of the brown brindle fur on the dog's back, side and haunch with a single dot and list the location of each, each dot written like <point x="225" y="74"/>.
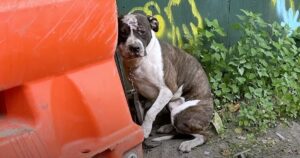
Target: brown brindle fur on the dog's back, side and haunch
<point x="180" y="68"/>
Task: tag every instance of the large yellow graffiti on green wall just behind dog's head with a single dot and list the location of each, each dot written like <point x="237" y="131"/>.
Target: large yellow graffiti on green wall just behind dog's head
<point x="166" y="19"/>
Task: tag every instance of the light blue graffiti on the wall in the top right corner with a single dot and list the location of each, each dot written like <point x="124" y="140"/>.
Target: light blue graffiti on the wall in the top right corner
<point x="288" y="16"/>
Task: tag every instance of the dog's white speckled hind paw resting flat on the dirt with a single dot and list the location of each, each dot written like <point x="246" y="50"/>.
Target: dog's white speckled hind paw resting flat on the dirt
<point x="187" y="146"/>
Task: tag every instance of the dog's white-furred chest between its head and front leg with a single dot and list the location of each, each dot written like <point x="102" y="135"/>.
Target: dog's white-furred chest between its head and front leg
<point x="148" y="78"/>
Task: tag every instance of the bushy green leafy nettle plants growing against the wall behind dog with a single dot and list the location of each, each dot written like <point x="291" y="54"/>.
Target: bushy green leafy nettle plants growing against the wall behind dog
<point x="260" y="72"/>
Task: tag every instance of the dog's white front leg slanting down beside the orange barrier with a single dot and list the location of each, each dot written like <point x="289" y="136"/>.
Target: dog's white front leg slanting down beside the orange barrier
<point x="164" y="96"/>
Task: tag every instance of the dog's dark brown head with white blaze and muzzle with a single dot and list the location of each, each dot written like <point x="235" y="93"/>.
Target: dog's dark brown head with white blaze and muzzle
<point x="135" y="33"/>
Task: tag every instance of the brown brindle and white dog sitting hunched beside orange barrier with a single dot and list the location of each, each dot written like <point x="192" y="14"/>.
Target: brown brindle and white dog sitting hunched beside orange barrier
<point x="165" y="75"/>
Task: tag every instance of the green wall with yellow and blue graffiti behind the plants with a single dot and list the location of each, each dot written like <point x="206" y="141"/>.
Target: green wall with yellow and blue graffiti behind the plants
<point x="180" y="17"/>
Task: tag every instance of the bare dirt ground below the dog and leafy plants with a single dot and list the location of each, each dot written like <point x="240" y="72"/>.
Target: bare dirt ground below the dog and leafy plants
<point x="283" y="141"/>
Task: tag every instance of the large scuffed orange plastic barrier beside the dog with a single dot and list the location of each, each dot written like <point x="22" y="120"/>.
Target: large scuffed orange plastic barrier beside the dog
<point x="60" y="91"/>
